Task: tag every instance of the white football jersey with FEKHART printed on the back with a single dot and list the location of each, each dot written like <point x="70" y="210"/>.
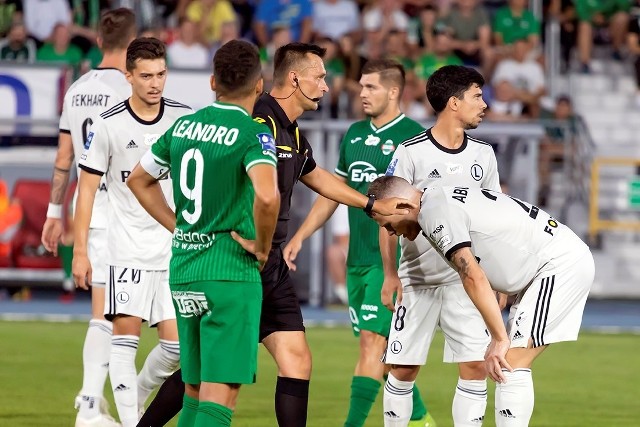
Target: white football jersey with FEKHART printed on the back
<point x="93" y="93"/>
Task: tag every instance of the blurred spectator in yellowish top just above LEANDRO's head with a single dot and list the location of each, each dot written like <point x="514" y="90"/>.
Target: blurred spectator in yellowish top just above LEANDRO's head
<point x="210" y="15"/>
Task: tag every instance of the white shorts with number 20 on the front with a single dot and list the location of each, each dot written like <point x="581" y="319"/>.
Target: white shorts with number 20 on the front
<point x="140" y="293"/>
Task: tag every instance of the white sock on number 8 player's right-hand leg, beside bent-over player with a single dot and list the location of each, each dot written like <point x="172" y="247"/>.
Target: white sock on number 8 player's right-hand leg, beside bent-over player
<point x="469" y="403"/>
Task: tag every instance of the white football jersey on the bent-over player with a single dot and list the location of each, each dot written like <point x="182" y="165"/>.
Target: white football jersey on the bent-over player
<point x="512" y="240"/>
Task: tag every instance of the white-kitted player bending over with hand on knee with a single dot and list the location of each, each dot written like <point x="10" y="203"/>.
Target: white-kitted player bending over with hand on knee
<point x="498" y="242"/>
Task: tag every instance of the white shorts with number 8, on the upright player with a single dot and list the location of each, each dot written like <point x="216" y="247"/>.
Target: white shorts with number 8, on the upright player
<point x="413" y="326"/>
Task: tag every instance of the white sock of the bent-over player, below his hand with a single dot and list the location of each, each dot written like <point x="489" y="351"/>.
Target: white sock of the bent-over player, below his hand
<point x="514" y="399"/>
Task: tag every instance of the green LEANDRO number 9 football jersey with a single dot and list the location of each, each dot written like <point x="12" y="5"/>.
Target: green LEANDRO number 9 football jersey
<point x="209" y="154"/>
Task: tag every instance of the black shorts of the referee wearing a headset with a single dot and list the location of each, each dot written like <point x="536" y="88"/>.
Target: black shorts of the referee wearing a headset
<point x="280" y="305"/>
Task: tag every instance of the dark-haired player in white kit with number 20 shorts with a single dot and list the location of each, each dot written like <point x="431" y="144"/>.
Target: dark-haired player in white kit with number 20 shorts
<point x="138" y="249"/>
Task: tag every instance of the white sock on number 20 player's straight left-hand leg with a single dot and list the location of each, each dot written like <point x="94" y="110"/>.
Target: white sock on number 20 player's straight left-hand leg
<point x="122" y="369"/>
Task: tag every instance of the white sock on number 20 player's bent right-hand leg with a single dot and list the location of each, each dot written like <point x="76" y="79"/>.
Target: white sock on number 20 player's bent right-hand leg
<point x="161" y="362"/>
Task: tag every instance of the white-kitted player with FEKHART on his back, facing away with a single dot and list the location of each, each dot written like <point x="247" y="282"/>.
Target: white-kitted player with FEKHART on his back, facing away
<point x="95" y="92"/>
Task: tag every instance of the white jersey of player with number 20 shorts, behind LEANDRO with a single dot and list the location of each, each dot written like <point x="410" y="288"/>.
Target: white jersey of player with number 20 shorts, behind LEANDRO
<point x="117" y="141"/>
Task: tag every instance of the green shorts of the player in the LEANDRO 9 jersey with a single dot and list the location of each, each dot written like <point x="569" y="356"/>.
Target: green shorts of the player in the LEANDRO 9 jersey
<point x="218" y="325"/>
